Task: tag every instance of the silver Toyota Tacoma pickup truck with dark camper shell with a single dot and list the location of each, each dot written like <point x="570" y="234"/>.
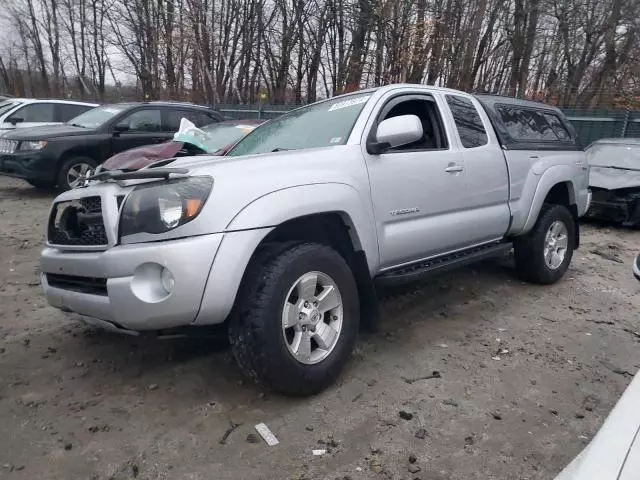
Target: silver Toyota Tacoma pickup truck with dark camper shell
<point x="284" y="241"/>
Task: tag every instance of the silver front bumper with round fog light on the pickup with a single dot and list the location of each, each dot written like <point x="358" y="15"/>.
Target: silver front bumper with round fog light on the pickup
<point x="134" y="299"/>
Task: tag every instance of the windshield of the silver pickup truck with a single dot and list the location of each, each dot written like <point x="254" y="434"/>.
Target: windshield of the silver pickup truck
<point x="320" y="125"/>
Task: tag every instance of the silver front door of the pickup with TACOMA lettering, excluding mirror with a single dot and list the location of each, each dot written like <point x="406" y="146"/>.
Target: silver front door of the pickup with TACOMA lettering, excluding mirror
<point x="418" y="189"/>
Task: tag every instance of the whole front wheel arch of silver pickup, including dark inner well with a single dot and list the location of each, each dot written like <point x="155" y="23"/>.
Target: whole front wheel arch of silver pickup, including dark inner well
<point x="330" y="214"/>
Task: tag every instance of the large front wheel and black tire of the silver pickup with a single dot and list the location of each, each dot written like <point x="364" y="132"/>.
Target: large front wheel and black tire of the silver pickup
<point x="263" y="346"/>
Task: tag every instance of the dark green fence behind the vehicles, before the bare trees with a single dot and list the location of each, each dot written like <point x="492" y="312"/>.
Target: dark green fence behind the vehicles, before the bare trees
<point x="591" y="125"/>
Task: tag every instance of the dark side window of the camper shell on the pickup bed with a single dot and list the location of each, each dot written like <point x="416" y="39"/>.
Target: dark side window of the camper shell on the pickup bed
<point x="526" y="125"/>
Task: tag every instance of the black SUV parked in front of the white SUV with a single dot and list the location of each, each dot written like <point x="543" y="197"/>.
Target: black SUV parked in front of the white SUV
<point x="62" y="154"/>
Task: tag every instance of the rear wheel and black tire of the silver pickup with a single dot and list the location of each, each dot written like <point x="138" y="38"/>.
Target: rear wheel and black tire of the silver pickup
<point x="529" y="250"/>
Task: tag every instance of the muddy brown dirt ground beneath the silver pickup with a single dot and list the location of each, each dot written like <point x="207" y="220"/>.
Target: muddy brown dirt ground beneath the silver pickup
<point x="527" y="375"/>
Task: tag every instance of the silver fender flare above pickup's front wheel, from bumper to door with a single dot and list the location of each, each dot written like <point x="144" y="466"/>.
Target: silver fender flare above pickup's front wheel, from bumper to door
<point x="294" y="202"/>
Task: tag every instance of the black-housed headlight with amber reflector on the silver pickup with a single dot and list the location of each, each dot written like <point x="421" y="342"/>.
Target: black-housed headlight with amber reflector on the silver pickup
<point x="160" y="207"/>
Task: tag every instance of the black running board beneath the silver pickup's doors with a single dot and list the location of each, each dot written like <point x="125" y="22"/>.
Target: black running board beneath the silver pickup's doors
<point x="434" y="266"/>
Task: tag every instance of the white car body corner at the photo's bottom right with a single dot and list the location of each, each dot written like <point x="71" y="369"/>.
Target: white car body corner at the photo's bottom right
<point x="614" y="453"/>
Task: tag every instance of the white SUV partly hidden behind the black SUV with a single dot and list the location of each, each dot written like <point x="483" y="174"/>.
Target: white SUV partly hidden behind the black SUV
<point x="30" y="112"/>
